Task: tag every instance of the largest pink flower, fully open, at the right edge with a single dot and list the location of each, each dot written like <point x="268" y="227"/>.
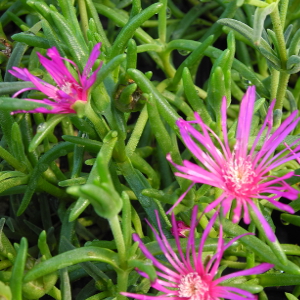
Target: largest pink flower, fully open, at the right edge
<point x="242" y="174"/>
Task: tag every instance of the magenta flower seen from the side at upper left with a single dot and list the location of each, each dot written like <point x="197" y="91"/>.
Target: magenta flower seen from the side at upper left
<point x="68" y="89"/>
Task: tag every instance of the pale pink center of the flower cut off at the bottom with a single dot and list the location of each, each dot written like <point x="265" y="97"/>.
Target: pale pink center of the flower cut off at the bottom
<point x="191" y="286"/>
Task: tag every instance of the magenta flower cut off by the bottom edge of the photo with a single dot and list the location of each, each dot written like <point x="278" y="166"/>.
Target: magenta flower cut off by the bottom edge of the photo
<point x="188" y="275"/>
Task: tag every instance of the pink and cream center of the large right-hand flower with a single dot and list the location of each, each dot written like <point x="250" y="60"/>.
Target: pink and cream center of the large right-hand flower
<point x="239" y="176"/>
